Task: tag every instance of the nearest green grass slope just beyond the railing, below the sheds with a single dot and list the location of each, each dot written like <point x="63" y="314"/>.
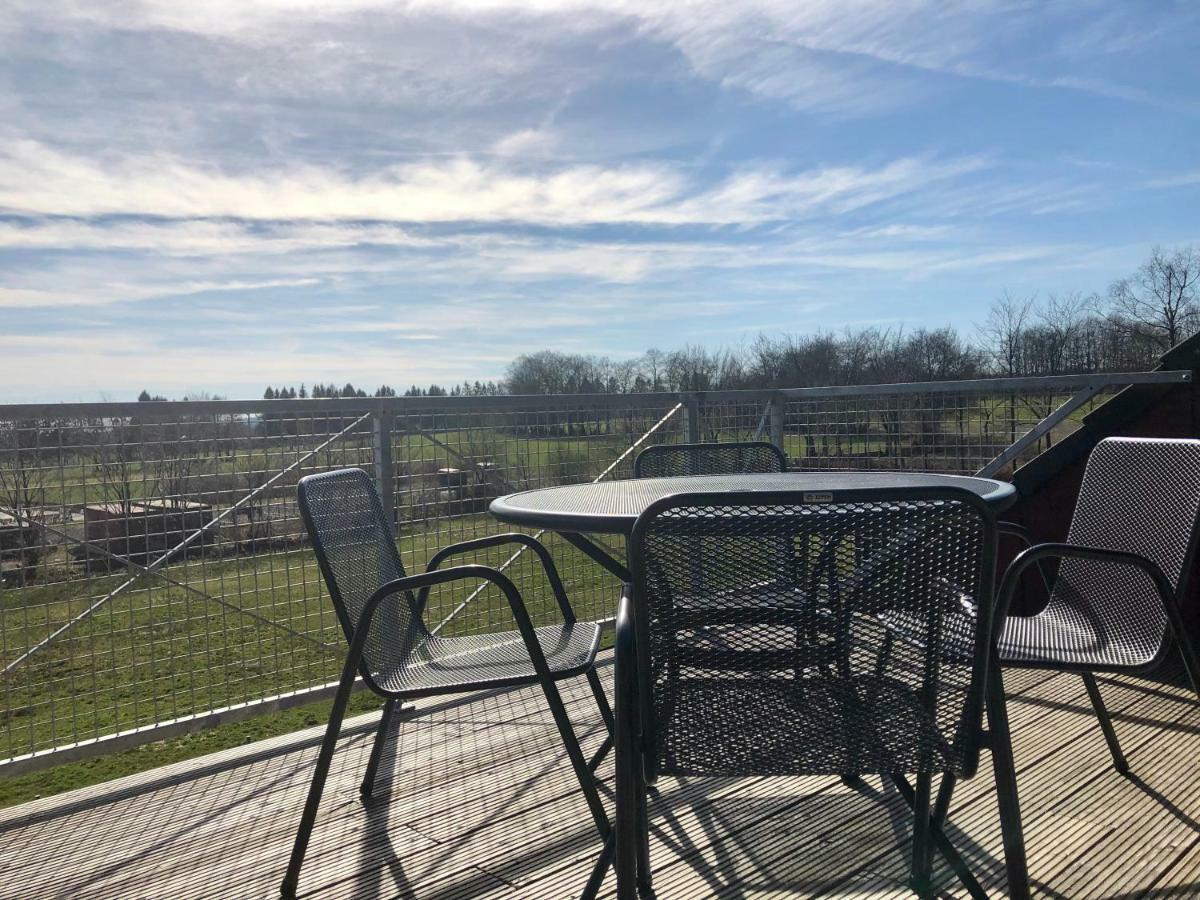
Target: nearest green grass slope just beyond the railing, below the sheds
<point x="160" y="652"/>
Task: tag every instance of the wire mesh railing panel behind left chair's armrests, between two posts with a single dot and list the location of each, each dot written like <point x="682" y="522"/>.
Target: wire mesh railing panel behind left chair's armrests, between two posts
<point x="452" y="463"/>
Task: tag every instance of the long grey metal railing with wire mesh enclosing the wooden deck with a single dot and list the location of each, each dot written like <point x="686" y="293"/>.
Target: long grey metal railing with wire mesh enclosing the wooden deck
<point x="155" y="575"/>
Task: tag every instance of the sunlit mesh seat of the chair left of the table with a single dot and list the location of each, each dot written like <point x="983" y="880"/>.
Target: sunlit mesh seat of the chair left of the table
<point x="443" y="665"/>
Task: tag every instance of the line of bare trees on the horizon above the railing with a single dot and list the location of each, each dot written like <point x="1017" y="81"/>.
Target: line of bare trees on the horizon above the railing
<point x="1125" y="329"/>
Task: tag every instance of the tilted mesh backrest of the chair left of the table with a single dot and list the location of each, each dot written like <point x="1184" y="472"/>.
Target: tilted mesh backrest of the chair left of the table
<point x="357" y="553"/>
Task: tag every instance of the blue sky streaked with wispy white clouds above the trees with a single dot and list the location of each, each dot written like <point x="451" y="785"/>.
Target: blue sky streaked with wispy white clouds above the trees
<point x="219" y="195"/>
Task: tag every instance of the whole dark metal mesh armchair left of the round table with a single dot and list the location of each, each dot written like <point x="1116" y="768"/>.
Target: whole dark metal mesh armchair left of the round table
<point x="381" y="611"/>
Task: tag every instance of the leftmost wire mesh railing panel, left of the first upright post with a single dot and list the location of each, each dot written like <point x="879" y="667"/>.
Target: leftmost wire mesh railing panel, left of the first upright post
<point x="155" y="568"/>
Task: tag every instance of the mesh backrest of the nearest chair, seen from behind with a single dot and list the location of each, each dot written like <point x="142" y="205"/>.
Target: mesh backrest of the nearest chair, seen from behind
<point x="767" y="674"/>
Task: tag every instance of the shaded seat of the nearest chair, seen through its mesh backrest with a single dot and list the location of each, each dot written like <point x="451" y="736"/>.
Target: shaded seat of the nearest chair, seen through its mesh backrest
<point x="811" y="727"/>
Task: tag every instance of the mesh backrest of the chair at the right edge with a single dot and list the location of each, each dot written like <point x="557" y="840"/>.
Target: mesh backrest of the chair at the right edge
<point x="1139" y="496"/>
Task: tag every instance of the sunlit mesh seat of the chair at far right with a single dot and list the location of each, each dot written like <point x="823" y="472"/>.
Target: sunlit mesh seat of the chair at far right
<point x="1065" y="635"/>
